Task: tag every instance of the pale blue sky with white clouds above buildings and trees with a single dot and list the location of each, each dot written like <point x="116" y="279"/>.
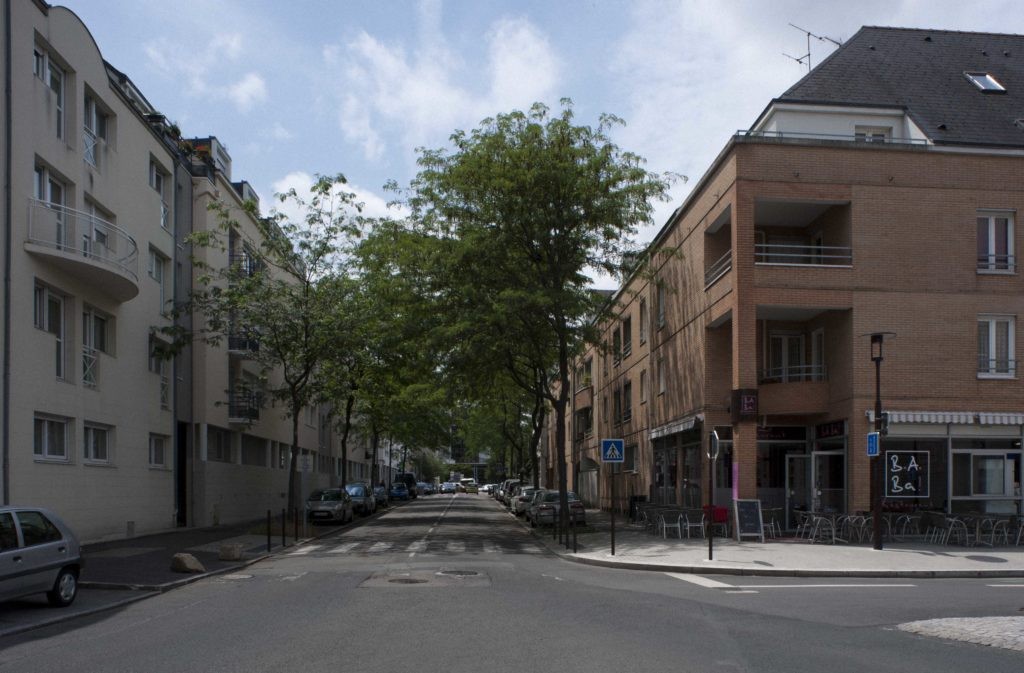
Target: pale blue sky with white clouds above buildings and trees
<point x="296" y="89"/>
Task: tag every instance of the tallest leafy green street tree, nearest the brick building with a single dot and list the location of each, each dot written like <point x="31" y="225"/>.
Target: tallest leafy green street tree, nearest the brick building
<point x="531" y="204"/>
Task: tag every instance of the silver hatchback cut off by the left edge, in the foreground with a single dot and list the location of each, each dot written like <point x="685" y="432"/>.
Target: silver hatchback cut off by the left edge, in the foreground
<point x="38" y="555"/>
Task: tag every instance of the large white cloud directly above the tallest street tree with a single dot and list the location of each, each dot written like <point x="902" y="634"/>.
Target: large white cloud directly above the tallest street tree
<point x="418" y="98"/>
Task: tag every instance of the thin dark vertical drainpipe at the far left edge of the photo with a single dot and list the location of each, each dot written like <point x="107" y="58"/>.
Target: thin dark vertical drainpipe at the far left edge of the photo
<point x="9" y="236"/>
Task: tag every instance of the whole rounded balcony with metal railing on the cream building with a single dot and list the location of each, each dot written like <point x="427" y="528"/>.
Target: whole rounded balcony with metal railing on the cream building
<point x="92" y="249"/>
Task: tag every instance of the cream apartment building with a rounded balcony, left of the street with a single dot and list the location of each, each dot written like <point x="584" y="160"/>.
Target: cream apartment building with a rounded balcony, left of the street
<point x="99" y="201"/>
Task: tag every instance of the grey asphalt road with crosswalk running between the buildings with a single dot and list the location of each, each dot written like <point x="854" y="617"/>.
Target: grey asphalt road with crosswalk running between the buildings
<point x="455" y="584"/>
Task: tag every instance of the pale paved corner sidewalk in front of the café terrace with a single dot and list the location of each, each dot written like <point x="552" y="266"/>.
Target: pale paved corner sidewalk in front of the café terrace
<point x="787" y="557"/>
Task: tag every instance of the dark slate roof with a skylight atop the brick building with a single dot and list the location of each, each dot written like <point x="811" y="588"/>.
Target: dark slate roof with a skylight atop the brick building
<point x="922" y="71"/>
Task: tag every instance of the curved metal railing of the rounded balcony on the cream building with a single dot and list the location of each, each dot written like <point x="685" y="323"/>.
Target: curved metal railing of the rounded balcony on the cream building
<point x="79" y="233"/>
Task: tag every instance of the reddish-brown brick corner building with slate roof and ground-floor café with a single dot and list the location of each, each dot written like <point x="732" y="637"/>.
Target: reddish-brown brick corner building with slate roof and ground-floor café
<point x="878" y="195"/>
